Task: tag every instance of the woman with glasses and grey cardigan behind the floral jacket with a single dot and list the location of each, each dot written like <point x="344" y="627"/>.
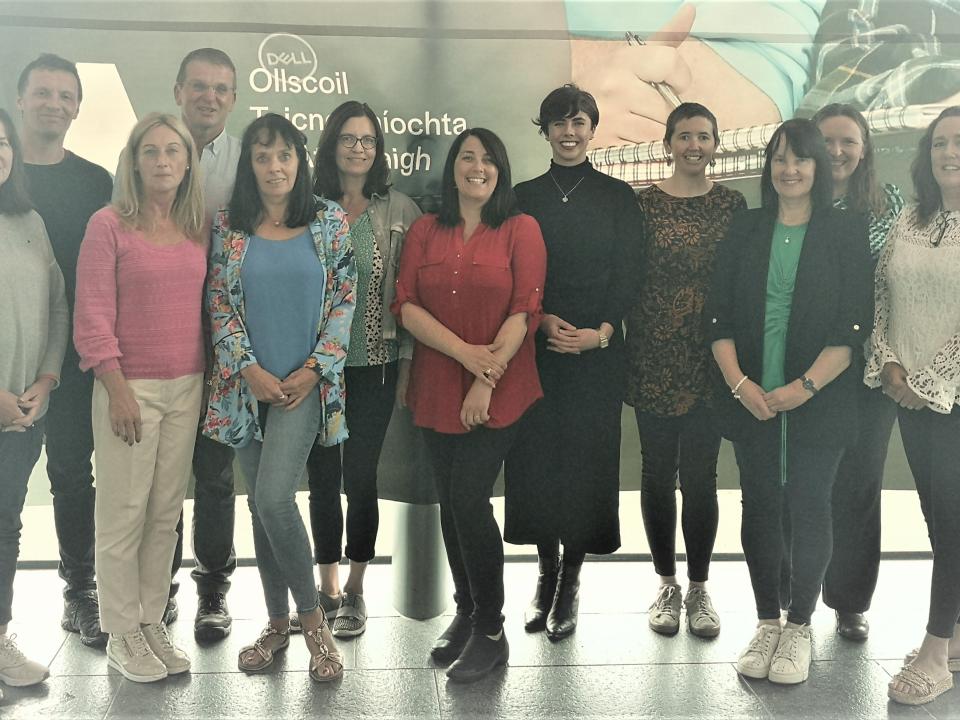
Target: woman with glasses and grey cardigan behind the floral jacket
<point x="351" y="169"/>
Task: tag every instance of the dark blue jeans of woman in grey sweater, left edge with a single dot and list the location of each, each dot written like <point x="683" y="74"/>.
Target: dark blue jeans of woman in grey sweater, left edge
<point x="19" y="452"/>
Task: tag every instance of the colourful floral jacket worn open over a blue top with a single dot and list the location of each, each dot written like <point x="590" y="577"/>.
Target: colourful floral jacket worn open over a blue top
<point x="232" y="411"/>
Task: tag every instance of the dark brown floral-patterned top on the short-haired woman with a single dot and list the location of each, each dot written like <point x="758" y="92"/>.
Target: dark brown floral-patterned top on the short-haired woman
<point x="669" y="360"/>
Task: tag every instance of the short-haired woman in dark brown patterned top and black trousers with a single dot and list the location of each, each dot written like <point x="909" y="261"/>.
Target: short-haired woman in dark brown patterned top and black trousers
<point x="685" y="217"/>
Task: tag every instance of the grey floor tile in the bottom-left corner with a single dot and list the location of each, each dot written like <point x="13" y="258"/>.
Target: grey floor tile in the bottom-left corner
<point x="65" y="698"/>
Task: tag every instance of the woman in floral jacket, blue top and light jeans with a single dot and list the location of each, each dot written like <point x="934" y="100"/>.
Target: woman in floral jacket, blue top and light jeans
<point x="280" y="344"/>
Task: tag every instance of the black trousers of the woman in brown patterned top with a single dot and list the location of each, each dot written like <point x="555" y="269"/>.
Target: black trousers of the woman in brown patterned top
<point x="684" y="447"/>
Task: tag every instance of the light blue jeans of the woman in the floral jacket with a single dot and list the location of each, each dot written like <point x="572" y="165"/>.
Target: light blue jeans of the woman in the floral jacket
<point x="272" y="470"/>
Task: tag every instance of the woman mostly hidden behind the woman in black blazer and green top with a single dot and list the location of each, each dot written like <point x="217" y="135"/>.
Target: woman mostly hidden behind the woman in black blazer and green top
<point x="855" y="563"/>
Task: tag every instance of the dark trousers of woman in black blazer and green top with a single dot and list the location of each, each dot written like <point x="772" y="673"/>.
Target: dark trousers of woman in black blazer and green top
<point x="803" y="501"/>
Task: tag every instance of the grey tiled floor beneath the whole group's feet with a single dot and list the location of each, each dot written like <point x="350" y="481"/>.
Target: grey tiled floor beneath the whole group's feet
<point x="613" y="667"/>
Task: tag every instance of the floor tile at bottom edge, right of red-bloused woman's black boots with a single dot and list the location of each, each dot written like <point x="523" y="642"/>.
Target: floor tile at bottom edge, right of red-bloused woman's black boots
<point x="654" y="691"/>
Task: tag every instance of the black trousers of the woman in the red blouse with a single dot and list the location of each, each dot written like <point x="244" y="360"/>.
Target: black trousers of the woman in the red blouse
<point x="465" y="469"/>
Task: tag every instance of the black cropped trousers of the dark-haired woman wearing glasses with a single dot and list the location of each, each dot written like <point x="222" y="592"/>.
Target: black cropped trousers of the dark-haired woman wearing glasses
<point x="371" y="391"/>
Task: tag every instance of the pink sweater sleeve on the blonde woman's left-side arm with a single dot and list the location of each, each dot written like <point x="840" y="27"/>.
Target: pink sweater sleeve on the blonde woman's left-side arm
<point x="95" y="314"/>
